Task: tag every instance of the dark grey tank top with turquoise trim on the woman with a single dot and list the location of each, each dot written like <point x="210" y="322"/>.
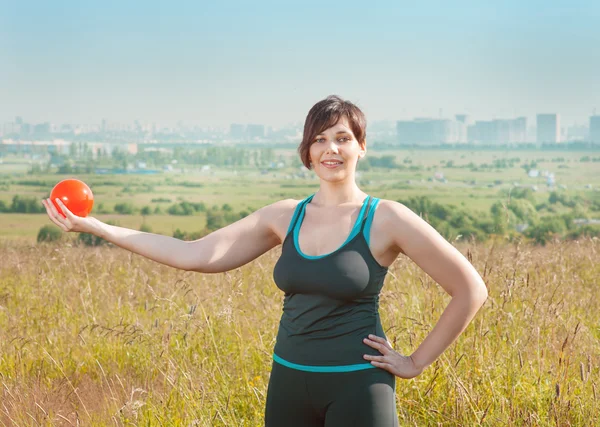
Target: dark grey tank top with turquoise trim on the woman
<point x="331" y="301"/>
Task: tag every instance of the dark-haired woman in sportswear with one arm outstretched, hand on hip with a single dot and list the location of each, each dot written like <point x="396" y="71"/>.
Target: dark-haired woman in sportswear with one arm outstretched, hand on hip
<point x="332" y="364"/>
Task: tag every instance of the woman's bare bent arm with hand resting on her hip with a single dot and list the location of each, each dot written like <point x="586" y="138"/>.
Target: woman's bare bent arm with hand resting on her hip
<point x="419" y="241"/>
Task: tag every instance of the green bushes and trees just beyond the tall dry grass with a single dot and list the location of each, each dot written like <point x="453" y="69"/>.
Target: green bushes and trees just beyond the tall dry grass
<point x="516" y="216"/>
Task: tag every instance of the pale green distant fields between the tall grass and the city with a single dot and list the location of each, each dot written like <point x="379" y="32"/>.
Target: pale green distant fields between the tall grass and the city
<point x="474" y="189"/>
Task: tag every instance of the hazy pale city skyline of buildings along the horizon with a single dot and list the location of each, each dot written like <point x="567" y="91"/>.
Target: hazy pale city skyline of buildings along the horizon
<point x="460" y="129"/>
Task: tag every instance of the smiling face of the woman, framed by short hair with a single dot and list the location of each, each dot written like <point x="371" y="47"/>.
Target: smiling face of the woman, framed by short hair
<point x="335" y="152"/>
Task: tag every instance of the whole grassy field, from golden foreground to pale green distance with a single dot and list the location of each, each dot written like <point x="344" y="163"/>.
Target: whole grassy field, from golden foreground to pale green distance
<point x="98" y="336"/>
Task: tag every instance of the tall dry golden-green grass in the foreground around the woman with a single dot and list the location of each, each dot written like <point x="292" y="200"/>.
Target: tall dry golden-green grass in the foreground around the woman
<point x="102" y="337"/>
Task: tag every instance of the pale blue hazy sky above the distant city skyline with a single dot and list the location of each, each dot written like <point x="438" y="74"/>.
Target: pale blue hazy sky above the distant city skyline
<point x="215" y="63"/>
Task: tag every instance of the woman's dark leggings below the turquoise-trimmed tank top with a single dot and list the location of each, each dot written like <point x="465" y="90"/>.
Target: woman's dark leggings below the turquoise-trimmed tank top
<point x="346" y="399"/>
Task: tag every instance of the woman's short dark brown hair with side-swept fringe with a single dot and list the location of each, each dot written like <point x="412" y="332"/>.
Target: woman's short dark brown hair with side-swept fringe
<point x="325" y="114"/>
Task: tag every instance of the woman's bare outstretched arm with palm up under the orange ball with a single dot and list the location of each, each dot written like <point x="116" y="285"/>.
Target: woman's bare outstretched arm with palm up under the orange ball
<point x="223" y="250"/>
